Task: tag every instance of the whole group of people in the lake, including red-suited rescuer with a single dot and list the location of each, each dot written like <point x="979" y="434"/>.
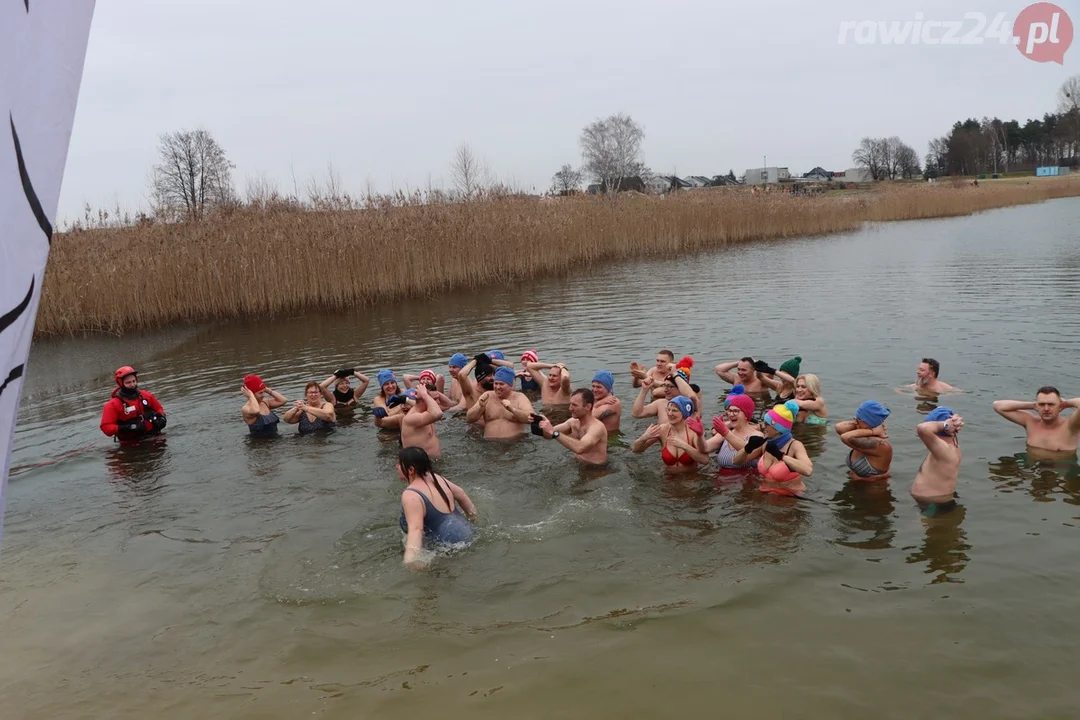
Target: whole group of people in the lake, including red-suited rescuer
<point x="483" y="389"/>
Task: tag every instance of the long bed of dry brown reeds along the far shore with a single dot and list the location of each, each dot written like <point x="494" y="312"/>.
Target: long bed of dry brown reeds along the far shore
<point x="264" y="262"/>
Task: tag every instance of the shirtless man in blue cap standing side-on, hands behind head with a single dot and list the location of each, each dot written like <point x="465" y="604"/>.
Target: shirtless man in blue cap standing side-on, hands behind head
<point x="935" y="487"/>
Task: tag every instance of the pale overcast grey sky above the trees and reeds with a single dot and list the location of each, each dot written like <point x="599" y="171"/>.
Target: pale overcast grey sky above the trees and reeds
<point x="386" y="92"/>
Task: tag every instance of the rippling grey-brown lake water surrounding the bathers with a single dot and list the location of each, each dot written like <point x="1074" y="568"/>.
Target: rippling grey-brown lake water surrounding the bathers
<point x="218" y="577"/>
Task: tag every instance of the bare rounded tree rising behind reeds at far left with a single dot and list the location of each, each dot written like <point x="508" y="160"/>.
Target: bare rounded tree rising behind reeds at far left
<point x="194" y="175"/>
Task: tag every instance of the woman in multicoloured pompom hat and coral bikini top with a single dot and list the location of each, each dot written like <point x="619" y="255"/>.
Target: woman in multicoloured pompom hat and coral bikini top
<point x="782" y="461"/>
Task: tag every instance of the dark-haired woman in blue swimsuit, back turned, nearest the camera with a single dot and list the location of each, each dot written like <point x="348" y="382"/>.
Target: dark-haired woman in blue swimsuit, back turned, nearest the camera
<point x="431" y="507"/>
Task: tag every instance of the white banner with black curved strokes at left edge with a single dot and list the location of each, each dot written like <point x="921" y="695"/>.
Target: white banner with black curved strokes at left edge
<point x="43" y="49"/>
